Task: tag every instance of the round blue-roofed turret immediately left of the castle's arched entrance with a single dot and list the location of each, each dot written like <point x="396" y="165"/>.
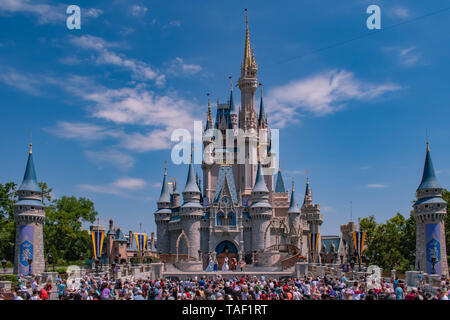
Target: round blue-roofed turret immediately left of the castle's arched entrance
<point x="191" y="213"/>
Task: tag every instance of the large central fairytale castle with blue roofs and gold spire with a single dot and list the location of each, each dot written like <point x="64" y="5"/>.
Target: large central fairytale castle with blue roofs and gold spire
<point x="238" y="211"/>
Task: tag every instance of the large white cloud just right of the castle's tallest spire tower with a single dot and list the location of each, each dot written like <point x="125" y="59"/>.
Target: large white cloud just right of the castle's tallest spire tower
<point x="320" y="94"/>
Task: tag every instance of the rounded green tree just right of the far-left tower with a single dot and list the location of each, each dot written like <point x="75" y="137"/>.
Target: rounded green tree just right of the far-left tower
<point x="63" y="233"/>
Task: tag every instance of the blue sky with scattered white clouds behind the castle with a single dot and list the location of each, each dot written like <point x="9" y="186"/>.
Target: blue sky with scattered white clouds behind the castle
<point x="102" y="101"/>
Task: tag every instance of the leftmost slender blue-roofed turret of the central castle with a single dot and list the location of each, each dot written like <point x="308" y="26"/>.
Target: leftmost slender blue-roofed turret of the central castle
<point x="162" y="218"/>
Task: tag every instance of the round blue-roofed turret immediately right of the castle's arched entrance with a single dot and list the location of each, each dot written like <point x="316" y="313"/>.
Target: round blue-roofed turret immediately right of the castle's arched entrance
<point x="260" y="211"/>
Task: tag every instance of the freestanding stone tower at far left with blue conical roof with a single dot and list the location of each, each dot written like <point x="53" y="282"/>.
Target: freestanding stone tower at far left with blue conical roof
<point x="29" y="216"/>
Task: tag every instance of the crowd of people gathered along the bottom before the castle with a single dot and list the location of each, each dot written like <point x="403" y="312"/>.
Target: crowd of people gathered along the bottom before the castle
<point x="91" y="287"/>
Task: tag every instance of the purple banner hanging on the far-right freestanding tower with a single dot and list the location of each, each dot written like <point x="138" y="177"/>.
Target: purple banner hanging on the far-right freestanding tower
<point x="433" y="247"/>
